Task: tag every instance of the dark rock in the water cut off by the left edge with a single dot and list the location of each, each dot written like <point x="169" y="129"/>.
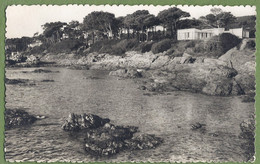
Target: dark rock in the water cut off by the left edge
<point x="17" y="117"/>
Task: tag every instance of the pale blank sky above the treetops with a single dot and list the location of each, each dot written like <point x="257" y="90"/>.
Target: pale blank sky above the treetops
<point x="27" y="20"/>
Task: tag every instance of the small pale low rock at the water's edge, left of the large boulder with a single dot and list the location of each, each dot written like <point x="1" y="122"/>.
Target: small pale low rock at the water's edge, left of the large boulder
<point x="126" y="73"/>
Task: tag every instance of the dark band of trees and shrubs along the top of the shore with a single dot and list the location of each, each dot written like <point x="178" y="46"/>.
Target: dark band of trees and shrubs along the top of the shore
<point x="104" y="33"/>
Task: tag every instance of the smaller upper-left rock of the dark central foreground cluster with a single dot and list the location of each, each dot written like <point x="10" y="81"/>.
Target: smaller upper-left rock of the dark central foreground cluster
<point x="77" y="122"/>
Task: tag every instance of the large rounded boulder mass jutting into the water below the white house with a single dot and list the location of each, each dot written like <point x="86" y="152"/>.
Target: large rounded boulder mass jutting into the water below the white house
<point x="212" y="79"/>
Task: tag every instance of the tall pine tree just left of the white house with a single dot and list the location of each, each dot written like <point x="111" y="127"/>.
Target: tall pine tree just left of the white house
<point x="170" y="17"/>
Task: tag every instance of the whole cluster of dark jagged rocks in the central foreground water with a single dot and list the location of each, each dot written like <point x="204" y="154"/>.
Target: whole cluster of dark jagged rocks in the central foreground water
<point x="103" y="138"/>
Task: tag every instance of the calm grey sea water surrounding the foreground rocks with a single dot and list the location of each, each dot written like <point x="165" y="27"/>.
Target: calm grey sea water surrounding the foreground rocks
<point x="87" y="91"/>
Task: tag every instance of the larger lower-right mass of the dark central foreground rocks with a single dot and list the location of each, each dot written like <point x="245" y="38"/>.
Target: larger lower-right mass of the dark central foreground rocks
<point x="109" y="141"/>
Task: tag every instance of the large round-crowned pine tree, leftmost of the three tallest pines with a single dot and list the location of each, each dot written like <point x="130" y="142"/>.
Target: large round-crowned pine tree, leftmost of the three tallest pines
<point x="99" y="21"/>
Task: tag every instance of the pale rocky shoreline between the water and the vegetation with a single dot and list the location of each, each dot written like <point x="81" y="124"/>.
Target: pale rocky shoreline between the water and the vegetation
<point x="231" y="74"/>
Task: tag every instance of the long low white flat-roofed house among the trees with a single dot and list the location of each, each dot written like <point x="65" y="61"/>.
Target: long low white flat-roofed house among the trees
<point x="197" y="34"/>
